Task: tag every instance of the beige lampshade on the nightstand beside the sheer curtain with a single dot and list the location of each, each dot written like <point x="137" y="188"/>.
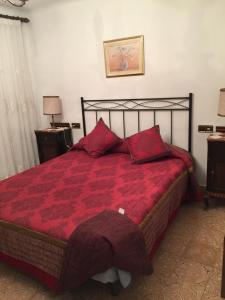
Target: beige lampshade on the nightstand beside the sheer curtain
<point x="52" y="105"/>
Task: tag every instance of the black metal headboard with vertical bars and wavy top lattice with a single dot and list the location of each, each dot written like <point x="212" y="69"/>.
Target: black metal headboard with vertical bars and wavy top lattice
<point x="171" y="104"/>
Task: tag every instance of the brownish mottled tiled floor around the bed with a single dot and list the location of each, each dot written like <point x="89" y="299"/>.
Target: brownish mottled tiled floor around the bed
<point x="187" y="266"/>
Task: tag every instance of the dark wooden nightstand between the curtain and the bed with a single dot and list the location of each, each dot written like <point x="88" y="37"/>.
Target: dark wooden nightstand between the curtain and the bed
<point x="53" y="142"/>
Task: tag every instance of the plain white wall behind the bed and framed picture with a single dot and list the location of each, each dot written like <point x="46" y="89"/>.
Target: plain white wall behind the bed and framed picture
<point x="184" y="52"/>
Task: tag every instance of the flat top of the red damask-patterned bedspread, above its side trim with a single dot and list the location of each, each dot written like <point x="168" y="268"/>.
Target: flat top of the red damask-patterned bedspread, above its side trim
<point x="55" y="197"/>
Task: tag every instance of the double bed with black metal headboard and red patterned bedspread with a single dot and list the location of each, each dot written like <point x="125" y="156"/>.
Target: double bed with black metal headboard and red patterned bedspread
<point x="41" y="207"/>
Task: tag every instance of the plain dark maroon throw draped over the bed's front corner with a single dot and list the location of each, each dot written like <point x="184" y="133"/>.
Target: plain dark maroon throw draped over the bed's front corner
<point x="106" y="240"/>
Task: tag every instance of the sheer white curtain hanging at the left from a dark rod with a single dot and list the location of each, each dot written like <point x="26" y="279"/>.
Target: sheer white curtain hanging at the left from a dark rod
<point x="18" y="113"/>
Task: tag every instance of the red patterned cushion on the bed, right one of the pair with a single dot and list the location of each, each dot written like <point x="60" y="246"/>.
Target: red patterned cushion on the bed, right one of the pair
<point x="147" y="145"/>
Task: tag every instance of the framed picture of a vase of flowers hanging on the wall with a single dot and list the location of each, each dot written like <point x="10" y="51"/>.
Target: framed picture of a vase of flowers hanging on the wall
<point x="125" y="56"/>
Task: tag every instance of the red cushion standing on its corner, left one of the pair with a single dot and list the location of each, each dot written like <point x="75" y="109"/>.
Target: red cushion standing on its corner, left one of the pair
<point x="99" y="140"/>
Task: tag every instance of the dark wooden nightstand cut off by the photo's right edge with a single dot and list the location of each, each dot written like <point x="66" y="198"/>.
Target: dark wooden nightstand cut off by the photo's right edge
<point x="216" y="167"/>
